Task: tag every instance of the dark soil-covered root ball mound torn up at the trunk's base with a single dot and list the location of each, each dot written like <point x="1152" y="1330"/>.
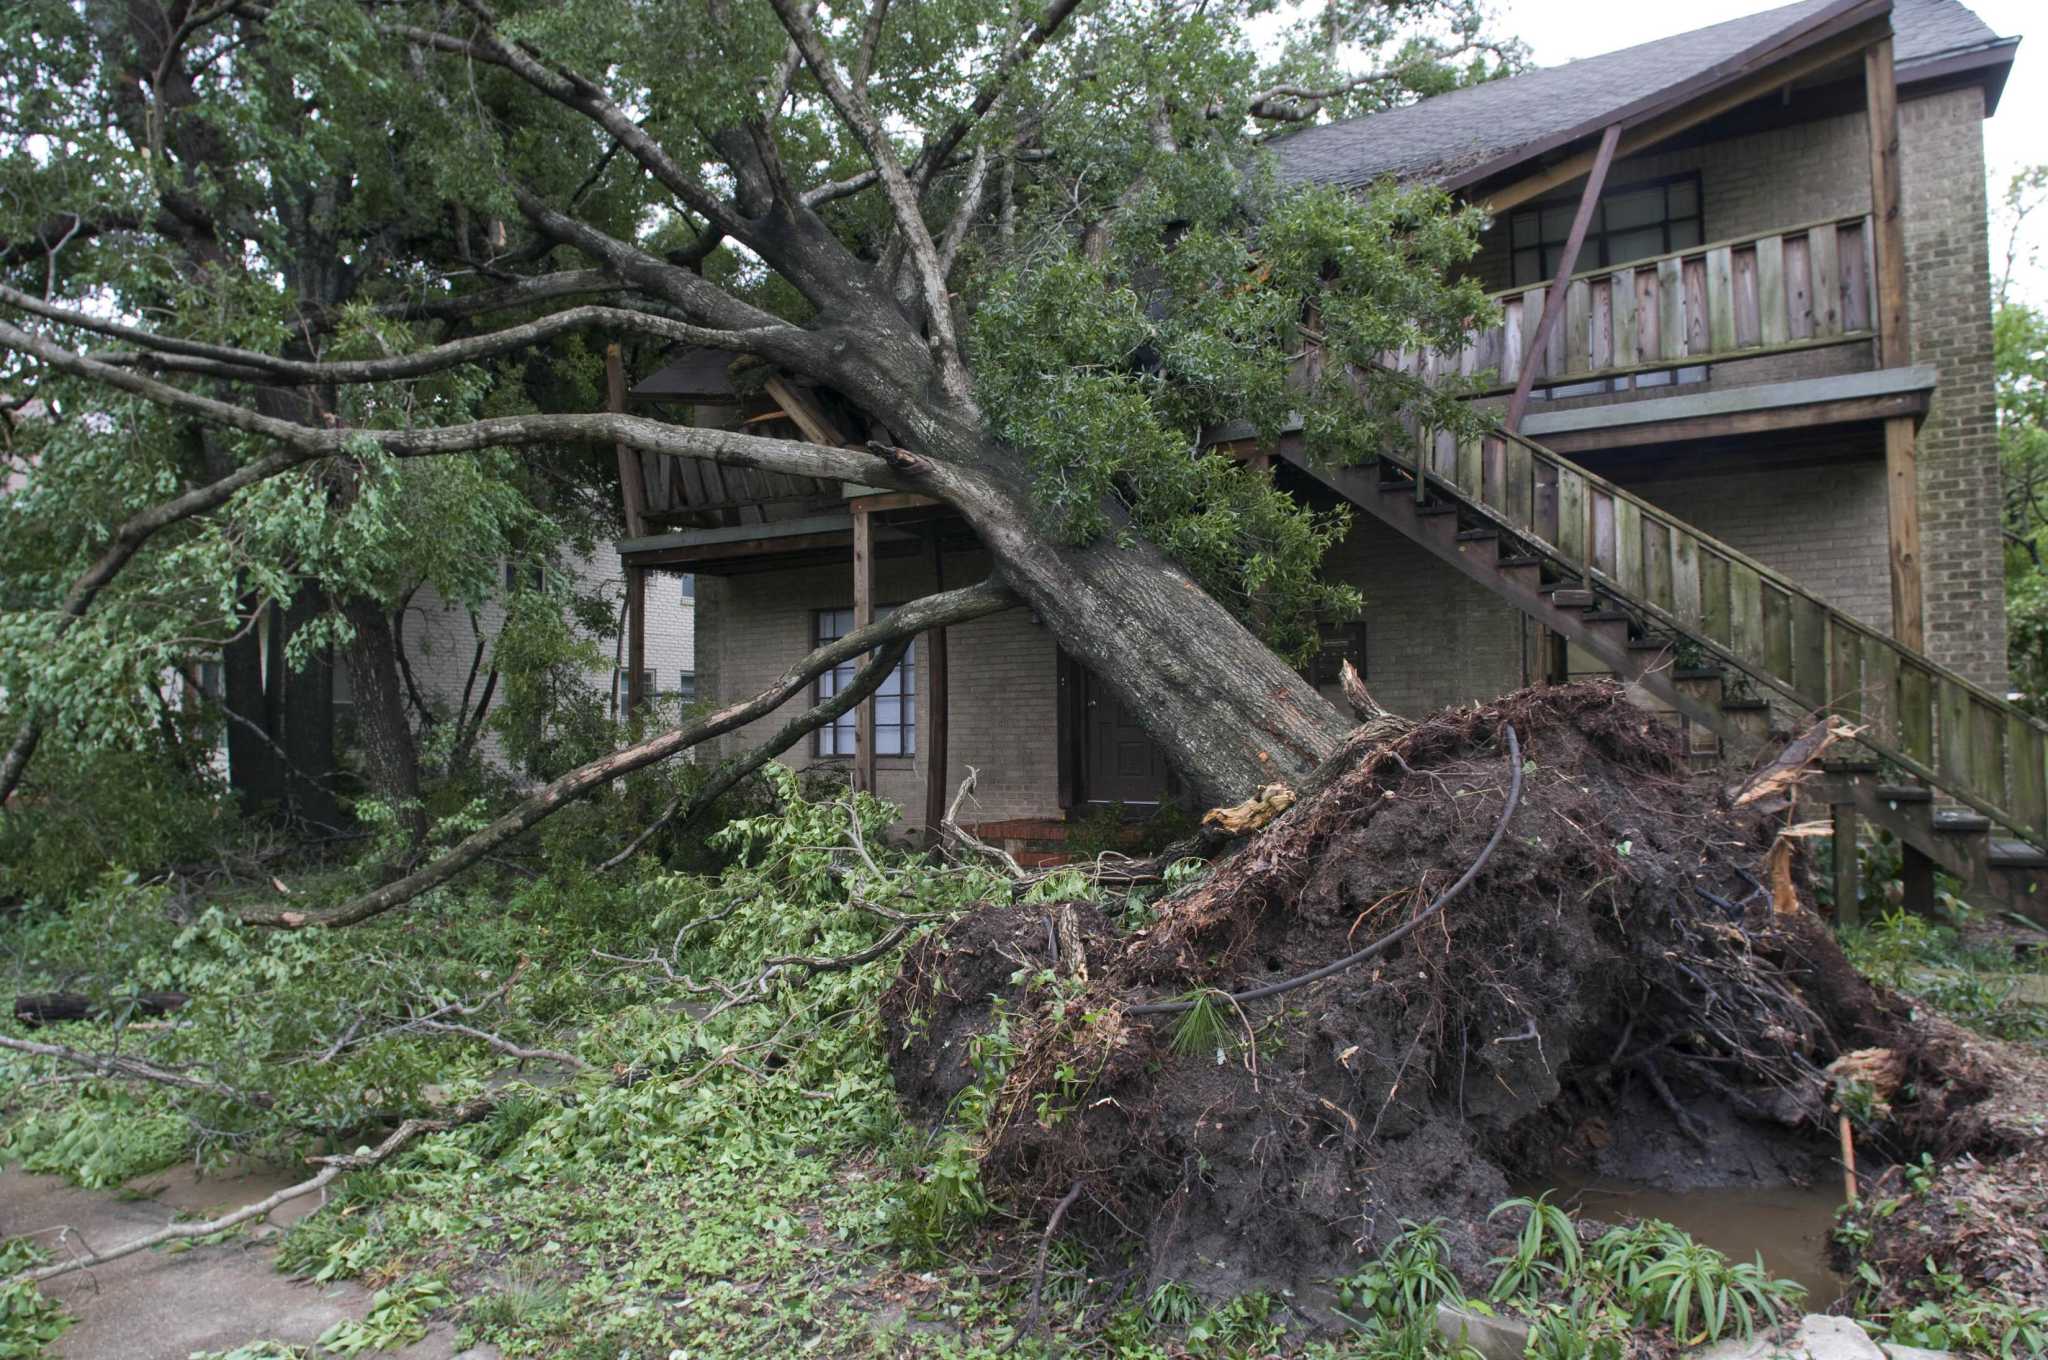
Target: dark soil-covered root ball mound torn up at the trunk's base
<point x="1615" y="988"/>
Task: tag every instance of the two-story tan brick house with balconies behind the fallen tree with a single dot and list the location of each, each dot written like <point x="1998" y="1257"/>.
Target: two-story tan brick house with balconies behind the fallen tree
<point x="1746" y="386"/>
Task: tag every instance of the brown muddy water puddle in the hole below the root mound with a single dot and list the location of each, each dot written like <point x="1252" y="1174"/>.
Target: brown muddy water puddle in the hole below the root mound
<point x="1787" y="1224"/>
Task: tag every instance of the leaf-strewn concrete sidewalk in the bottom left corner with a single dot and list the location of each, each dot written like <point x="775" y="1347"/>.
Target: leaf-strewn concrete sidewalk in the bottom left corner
<point x="161" y="1306"/>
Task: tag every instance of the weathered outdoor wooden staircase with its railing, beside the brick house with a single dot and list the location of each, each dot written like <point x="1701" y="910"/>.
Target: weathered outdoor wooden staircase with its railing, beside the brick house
<point x="1713" y="636"/>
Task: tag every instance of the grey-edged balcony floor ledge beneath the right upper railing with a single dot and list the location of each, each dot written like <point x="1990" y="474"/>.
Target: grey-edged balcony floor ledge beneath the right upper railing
<point x="1727" y="413"/>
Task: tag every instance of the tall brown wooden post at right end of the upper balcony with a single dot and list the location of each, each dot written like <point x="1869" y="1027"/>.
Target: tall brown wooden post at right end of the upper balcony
<point x="1889" y="304"/>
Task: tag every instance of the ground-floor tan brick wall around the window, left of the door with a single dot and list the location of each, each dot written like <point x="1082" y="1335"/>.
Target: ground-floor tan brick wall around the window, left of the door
<point x="1005" y="716"/>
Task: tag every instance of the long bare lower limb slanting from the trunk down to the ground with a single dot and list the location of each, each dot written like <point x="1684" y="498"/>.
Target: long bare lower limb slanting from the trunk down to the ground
<point x="904" y="624"/>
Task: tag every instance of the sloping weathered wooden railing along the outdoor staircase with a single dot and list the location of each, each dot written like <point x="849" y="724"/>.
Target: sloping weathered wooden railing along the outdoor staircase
<point x="1961" y="738"/>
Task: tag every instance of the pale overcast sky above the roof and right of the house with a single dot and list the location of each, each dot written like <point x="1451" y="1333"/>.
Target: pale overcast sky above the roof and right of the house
<point x="2016" y="136"/>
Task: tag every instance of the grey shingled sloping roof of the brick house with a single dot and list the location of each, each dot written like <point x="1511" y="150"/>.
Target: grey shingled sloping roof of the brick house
<point x="1453" y="136"/>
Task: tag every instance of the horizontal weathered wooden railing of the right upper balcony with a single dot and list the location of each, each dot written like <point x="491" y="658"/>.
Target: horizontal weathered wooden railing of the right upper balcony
<point x="1793" y="290"/>
